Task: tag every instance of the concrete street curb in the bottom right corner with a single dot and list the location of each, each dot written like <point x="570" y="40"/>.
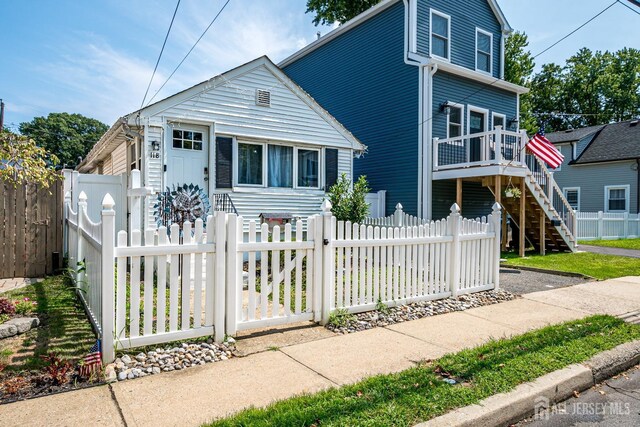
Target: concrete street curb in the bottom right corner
<point x="506" y="408"/>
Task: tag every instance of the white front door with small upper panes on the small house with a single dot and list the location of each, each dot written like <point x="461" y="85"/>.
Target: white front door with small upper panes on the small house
<point x="187" y="156"/>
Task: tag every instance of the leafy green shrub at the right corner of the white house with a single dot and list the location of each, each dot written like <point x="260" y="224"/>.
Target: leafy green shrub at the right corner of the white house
<point x="349" y="204"/>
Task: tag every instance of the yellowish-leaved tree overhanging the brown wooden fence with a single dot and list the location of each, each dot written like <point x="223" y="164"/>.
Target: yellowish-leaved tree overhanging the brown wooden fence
<point x="22" y="160"/>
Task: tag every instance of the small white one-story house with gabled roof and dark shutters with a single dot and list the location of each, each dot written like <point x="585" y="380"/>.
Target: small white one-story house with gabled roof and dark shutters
<point x="251" y="133"/>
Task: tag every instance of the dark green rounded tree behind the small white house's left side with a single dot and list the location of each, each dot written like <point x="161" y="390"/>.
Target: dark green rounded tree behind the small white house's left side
<point x="68" y="136"/>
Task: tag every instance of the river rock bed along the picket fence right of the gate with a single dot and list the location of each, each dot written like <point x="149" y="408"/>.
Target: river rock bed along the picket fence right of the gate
<point x="418" y="310"/>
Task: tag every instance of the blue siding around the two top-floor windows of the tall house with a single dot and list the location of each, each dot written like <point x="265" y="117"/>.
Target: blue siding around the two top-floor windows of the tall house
<point x="464" y="20"/>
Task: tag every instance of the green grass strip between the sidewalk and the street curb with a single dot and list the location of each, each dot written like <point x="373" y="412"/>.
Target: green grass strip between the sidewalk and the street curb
<point x="419" y="393"/>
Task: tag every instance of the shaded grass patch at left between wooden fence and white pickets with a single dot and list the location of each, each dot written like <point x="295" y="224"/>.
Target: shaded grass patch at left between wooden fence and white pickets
<point x="65" y="329"/>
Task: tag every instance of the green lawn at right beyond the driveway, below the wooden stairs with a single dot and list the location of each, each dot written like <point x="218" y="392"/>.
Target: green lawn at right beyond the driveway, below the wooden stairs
<point x="590" y="264"/>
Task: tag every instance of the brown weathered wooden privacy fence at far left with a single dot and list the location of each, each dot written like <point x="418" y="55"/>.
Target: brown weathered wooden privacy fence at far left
<point x="30" y="229"/>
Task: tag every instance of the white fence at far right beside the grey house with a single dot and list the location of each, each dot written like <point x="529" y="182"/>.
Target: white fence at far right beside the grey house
<point x="601" y="225"/>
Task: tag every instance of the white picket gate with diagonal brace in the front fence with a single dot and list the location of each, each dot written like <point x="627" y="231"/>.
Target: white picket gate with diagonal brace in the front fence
<point x="273" y="278"/>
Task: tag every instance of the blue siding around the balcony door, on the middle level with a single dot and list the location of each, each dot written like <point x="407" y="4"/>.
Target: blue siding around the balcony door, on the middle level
<point x="448" y="87"/>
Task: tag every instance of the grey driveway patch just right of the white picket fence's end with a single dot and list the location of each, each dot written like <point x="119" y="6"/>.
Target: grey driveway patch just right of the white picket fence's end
<point x="523" y="281"/>
